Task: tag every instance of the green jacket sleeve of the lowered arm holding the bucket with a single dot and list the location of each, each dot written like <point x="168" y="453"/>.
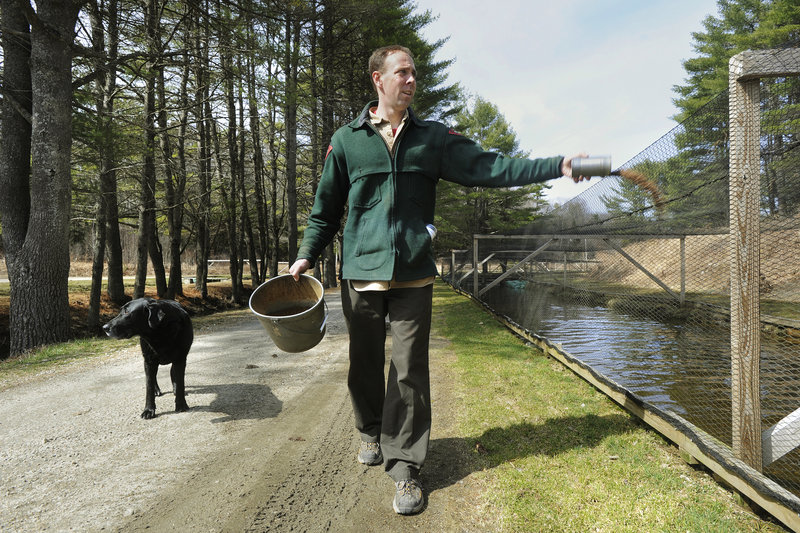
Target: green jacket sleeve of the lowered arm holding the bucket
<point x="326" y="214"/>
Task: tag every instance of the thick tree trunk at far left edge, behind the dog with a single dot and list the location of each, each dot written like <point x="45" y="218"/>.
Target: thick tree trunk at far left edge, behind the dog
<point x="35" y="181"/>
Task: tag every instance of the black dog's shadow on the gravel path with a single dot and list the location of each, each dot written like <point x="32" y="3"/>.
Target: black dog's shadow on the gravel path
<point x="237" y="401"/>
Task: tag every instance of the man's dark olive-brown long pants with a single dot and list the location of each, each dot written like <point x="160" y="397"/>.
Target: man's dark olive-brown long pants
<point x="395" y="411"/>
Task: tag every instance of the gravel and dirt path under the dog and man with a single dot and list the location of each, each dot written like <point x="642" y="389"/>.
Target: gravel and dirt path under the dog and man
<point x="268" y="445"/>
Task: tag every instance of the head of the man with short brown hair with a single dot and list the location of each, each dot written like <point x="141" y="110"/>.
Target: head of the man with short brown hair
<point x="394" y="75"/>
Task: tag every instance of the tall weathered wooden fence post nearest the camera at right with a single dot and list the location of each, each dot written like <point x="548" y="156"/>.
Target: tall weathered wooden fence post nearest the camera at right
<point x="745" y="159"/>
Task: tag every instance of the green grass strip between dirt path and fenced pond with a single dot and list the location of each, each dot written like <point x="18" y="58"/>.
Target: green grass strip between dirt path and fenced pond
<point x="556" y="454"/>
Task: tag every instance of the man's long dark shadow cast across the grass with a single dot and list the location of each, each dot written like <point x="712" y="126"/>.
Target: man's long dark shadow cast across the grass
<point x="452" y="459"/>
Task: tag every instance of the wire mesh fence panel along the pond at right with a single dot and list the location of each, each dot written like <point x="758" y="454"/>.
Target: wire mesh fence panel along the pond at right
<point x="637" y="275"/>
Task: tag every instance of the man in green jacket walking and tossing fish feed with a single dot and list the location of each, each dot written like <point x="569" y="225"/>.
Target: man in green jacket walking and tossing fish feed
<point x="385" y="166"/>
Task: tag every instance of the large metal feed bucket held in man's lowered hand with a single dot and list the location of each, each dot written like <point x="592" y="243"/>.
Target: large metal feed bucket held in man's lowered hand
<point x="294" y="313"/>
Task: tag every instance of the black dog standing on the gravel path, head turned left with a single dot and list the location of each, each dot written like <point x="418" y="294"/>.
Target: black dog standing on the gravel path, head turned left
<point x="165" y="334"/>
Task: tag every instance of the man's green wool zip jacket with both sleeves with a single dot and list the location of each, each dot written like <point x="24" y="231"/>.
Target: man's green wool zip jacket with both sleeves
<point x="391" y="197"/>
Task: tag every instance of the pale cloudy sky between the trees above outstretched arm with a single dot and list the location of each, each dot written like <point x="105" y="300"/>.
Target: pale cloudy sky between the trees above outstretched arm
<point x="572" y="76"/>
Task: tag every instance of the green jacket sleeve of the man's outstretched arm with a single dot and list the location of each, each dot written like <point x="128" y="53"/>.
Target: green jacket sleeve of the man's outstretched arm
<point x="466" y="163"/>
